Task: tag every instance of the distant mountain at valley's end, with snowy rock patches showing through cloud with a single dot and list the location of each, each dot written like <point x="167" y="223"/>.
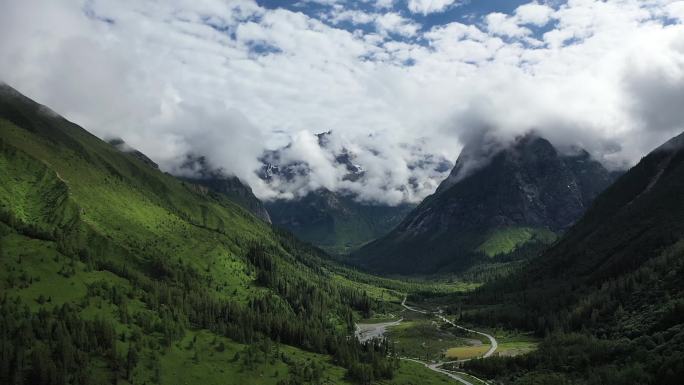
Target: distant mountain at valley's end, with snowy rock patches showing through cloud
<point x="332" y="220"/>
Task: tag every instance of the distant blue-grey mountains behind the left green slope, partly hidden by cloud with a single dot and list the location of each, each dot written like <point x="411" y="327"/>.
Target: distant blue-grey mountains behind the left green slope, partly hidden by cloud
<point x="334" y="221"/>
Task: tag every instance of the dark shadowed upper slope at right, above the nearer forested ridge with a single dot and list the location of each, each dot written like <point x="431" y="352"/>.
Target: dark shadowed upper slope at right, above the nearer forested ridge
<point x="635" y="219"/>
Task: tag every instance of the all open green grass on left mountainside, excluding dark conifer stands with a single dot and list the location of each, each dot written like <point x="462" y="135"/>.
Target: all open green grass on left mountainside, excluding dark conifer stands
<point x="68" y="198"/>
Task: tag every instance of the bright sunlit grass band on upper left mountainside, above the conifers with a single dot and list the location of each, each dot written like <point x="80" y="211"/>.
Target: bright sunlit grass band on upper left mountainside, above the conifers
<point x="112" y="205"/>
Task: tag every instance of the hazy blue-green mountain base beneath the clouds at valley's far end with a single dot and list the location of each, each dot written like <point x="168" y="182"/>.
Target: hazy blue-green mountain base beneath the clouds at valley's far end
<point x="335" y="222"/>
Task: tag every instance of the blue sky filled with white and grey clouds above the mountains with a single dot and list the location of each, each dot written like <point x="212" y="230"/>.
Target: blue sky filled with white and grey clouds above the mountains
<point x="402" y="85"/>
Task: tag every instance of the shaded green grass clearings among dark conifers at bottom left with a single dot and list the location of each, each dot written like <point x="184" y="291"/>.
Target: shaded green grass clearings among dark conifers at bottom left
<point x="39" y="273"/>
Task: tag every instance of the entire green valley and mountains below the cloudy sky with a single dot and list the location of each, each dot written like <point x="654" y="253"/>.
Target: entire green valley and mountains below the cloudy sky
<point x="539" y="268"/>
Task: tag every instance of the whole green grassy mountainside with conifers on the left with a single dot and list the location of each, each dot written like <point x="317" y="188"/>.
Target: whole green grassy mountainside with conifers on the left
<point x="112" y="271"/>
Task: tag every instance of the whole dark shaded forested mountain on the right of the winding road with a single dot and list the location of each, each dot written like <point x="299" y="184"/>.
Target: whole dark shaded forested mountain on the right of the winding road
<point x="608" y="295"/>
